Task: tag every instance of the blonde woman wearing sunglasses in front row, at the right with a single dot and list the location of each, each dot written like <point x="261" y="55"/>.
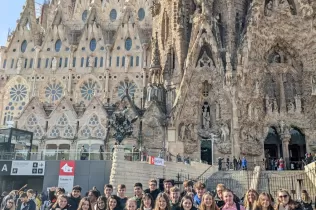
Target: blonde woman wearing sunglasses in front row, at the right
<point x="285" y="202"/>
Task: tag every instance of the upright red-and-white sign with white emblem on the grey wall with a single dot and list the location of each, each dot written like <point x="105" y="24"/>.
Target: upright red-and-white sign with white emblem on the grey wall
<point x="66" y="175"/>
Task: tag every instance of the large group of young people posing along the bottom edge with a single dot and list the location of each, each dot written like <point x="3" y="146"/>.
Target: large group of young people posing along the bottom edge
<point x="193" y="197"/>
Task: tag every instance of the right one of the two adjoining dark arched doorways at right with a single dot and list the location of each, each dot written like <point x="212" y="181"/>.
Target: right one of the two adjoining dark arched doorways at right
<point x="297" y="145"/>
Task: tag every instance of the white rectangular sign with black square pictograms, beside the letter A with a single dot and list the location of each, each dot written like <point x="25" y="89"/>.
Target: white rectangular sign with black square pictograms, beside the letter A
<point x="28" y="168"/>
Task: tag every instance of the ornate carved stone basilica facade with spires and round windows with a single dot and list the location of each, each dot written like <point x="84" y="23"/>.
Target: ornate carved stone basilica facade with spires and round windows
<point x="206" y="78"/>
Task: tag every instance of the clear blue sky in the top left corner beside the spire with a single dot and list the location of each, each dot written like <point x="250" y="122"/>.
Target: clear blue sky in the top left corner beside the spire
<point x="9" y="13"/>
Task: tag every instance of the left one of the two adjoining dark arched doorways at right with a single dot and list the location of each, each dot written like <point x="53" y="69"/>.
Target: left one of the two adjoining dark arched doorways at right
<point x="272" y="146"/>
